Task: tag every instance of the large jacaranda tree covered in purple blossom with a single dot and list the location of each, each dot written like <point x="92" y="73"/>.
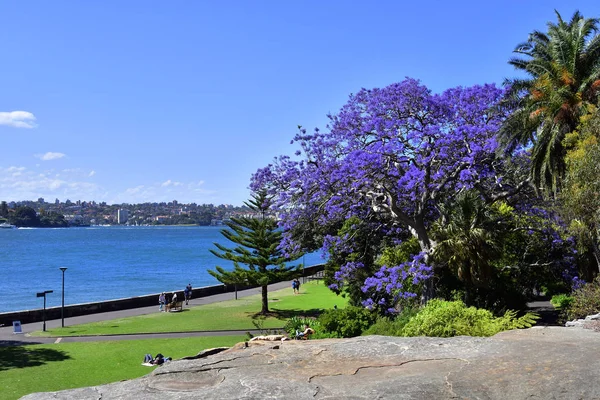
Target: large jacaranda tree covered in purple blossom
<point x="399" y="152"/>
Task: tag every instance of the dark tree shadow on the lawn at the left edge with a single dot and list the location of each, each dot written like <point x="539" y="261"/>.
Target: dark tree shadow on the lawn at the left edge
<point x="20" y="356"/>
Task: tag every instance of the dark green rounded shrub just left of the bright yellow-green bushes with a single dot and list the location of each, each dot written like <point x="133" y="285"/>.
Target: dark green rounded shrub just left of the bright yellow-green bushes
<point x="348" y="322"/>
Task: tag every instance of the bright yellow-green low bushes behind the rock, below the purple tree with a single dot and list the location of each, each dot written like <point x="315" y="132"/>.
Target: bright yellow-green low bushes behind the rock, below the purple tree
<point x="442" y="318"/>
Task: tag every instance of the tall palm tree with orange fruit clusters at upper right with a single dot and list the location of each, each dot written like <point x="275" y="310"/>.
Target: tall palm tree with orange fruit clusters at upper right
<point x="563" y="68"/>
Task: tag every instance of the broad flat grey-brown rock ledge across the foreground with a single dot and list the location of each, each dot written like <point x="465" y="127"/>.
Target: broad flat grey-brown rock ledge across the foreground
<point x="536" y="363"/>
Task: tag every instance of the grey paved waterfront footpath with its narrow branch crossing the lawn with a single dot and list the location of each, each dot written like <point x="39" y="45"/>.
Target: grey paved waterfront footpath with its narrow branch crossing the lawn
<point x="8" y="338"/>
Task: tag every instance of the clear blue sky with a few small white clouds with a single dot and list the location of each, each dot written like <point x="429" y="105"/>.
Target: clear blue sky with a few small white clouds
<point x="149" y="101"/>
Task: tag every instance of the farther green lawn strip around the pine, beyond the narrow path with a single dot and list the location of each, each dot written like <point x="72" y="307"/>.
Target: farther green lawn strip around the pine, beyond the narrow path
<point x="227" y="315"/>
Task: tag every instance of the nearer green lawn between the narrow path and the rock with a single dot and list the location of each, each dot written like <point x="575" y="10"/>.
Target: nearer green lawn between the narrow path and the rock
<point x="52" y="367"/>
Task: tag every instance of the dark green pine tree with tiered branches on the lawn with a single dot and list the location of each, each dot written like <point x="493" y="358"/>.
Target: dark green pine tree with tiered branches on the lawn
<point x="258" y="241"/>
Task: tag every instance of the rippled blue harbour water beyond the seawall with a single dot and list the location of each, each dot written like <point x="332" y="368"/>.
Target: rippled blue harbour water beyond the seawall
<point x="106" y="263"/>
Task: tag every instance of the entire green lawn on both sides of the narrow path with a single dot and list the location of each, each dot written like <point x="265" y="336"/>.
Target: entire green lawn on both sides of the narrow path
<point x="35" y="368"/>
